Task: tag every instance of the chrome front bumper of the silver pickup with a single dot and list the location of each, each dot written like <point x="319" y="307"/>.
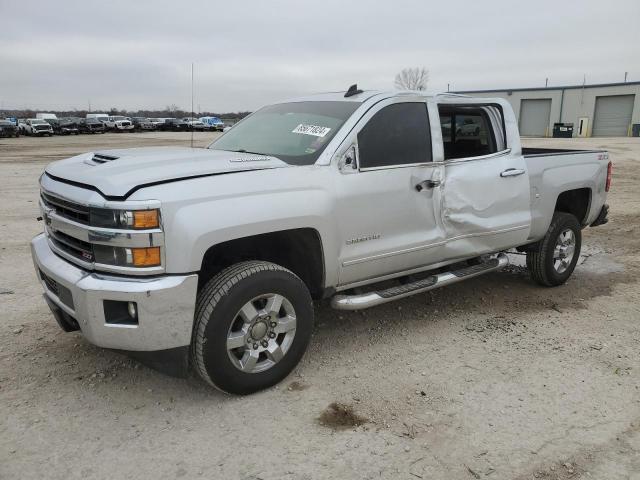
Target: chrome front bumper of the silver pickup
<point x="165" y="304"/>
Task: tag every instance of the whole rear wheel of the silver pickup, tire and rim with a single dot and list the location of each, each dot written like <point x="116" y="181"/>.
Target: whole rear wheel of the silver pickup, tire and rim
<point x="553" y="261"/>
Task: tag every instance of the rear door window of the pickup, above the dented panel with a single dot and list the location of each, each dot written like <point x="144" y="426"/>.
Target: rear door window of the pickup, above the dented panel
<point x="467" y="131"/>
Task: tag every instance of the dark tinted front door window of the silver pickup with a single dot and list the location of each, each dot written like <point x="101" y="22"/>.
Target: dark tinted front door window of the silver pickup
<point x="396" y="135"/>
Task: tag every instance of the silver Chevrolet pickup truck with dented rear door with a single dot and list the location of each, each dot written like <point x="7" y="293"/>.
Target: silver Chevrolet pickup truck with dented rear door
<point x="211" y="258"/>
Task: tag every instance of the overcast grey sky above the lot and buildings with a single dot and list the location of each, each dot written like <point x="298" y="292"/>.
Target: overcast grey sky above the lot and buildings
<point x="137" y="54"/>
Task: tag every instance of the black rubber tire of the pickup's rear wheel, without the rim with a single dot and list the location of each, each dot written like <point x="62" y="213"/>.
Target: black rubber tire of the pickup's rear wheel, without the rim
<point x="540" y="261"/>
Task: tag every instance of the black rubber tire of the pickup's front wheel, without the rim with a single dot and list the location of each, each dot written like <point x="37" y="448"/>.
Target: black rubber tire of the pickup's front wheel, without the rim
<point x="217" y="308"/>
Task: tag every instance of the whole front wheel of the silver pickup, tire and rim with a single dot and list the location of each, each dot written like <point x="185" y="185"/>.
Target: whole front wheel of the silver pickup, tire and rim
<point x="253" y="323"/>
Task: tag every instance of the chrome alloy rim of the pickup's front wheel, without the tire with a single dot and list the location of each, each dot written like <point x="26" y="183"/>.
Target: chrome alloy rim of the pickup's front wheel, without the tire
<point x="261" y="333"/>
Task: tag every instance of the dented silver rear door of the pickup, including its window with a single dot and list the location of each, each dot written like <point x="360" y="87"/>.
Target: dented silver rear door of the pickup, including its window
<point x="486" y="200"/>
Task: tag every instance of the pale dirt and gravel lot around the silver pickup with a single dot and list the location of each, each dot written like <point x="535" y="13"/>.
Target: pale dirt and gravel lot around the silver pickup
<point x="491" y="378"/>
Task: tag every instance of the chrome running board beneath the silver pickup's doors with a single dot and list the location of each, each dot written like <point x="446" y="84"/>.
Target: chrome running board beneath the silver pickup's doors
<point x="371" y="299"/>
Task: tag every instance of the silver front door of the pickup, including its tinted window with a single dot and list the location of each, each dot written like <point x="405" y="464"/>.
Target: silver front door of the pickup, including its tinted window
<point x="390" y="220"/>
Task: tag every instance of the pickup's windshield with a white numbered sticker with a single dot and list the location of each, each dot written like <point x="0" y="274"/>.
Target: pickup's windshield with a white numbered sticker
<point x="296" y="133"/>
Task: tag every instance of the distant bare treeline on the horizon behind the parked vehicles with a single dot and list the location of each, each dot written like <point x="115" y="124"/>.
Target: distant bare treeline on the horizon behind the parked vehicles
<point x="168" y="112"/>
